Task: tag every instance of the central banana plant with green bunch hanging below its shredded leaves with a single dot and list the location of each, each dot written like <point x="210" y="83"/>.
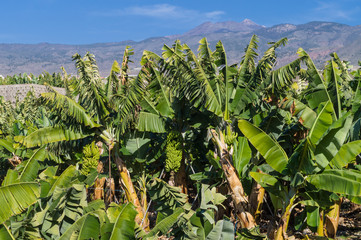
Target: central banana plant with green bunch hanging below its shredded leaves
<point x="169" y="106"/>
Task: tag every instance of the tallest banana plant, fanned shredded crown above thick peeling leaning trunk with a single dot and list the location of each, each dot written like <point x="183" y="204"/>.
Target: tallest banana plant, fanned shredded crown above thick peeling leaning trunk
<point x="210" y="84"/>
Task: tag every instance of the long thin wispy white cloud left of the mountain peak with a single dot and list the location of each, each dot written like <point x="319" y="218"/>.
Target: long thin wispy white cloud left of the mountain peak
<point x="164" y="11"/>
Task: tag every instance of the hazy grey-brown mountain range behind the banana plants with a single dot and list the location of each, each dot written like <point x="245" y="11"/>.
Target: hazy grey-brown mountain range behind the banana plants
<point x="319" y="39"/>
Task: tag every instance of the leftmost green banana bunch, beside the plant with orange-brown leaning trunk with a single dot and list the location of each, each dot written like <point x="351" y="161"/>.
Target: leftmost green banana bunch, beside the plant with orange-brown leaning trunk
<point x="90" y="159"/>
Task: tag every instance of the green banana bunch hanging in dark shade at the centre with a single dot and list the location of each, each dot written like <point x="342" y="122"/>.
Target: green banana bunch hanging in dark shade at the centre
<point x="173" y="151"/>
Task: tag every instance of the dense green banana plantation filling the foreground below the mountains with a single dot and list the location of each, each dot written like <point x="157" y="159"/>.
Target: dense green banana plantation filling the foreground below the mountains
<point x="192" y="147"/>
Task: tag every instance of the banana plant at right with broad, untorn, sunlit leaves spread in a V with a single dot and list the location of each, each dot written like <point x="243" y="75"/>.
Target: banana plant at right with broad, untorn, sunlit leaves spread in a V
<point x="324" y="145"/>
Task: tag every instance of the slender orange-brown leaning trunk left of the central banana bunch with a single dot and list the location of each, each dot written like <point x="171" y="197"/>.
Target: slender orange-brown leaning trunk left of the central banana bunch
<point x="129" y="189"/>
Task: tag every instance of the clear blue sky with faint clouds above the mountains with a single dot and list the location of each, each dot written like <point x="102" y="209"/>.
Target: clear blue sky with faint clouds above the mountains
<point x="92" y="21"/>
